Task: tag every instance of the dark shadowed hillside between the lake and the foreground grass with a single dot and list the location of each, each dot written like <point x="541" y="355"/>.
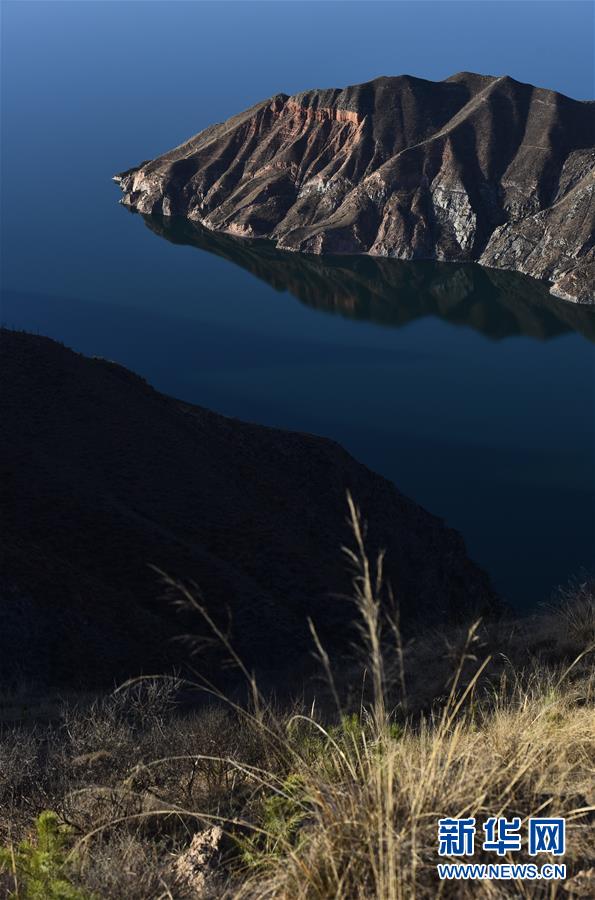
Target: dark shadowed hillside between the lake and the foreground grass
<point x="103" y="476"/>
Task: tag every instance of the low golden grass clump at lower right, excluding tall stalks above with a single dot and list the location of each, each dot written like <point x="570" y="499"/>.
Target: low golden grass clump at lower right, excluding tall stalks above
<point x="371" y="805"/>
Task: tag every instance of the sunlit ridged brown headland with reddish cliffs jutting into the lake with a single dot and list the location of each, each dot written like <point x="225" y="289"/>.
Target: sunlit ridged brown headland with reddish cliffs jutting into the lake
<point x="470" y="168"/>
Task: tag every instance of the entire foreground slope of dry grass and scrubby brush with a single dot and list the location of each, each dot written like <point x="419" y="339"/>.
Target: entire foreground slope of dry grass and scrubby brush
<point x="335" y="796"/>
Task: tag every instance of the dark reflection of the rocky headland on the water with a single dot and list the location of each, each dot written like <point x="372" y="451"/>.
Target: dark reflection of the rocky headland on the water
<point x="392" y="292"/>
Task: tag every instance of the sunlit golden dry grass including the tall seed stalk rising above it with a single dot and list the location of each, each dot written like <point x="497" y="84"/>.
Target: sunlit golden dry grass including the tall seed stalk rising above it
<point x="521" y="744"/>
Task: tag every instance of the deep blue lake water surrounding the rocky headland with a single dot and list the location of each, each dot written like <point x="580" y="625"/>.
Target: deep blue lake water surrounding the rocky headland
<point x="473" y="391"/>
